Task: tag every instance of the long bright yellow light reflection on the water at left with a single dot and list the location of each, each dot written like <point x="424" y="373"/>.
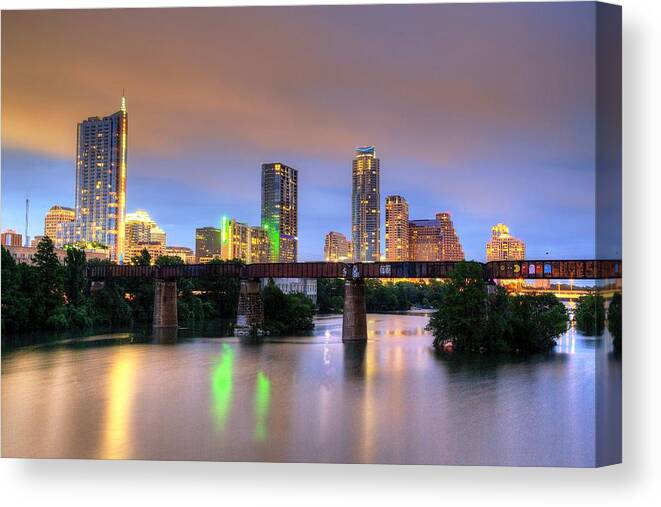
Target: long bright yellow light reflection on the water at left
<point x="120" y="393"/>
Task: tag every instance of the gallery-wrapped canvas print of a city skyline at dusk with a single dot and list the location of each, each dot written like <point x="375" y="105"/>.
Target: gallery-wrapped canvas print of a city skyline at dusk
<point x="324" y="234"/>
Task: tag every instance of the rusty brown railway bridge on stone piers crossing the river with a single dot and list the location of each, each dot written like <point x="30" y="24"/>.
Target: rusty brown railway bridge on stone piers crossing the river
<point x="250" y="313"/>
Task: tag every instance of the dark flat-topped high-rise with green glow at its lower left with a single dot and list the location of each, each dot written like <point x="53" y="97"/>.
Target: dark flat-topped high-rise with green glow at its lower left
<point x="280" y="210"/>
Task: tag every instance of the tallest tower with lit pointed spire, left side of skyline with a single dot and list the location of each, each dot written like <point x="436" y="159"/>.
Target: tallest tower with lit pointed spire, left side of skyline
<point x="101" y="180"/>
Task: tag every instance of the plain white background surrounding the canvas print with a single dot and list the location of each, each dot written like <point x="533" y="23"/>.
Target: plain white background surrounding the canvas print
<point x="636" y="482"/>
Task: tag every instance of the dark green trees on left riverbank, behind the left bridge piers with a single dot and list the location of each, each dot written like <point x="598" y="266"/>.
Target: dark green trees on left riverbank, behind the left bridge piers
<point x="54" y="296"/>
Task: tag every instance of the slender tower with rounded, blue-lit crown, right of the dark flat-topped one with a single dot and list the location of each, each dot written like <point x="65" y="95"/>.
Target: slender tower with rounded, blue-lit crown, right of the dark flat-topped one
<point x="365" y="206"/>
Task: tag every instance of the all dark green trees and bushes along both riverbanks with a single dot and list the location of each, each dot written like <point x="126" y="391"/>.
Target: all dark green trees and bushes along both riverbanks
<point x="466" y="314"/>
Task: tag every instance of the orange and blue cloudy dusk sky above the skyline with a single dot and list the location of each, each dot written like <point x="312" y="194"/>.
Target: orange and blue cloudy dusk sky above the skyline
<point x="483" y="110"/>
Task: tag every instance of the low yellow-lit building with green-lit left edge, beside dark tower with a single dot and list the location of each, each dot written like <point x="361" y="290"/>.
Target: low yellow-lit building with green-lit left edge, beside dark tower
<point x="243" y="242"/>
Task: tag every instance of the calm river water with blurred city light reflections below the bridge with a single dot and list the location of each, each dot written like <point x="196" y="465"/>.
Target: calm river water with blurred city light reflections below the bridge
<point x="308" y="399"/>
